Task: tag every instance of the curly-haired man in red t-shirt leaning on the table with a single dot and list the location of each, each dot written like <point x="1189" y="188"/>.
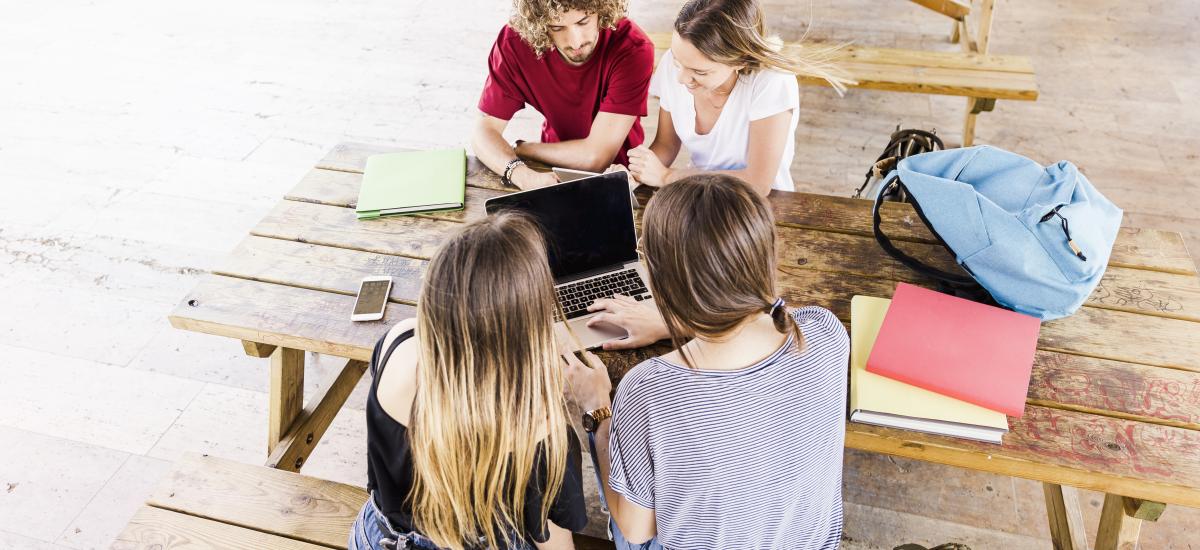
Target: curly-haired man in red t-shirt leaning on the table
<point x="586" y="69"/>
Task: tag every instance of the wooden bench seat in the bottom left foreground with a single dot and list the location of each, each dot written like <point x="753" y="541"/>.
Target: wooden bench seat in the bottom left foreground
<point x="209" y="503"/>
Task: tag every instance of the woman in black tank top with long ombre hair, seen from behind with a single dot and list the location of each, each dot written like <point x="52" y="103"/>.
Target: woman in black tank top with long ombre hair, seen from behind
<point x="469" y="444"/>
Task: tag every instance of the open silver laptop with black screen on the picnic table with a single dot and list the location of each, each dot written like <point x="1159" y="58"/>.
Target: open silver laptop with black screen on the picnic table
<point x="589" y="225"/>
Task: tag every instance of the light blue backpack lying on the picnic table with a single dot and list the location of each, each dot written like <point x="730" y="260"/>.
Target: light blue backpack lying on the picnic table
<point x="1037" y="240"/>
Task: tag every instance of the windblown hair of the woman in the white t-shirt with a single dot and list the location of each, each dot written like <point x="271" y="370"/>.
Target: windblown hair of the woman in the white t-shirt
<point x="735" y="33"/>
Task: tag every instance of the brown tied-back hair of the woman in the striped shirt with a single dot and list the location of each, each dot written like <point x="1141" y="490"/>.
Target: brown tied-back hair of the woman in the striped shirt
<point x="710" y="252"/>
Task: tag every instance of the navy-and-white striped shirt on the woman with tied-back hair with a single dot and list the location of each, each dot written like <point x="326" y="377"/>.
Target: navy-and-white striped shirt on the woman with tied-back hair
<point x="747" y="459"/>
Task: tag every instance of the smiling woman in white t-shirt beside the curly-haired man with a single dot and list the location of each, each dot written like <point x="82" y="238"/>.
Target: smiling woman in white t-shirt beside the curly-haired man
<point x="730" y="97"/>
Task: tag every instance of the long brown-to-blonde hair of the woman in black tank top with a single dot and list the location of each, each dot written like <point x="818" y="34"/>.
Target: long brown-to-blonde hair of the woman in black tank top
<point x="490" y="384"/>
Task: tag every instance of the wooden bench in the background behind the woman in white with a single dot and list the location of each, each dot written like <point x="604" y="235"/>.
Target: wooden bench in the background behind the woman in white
<point x="974" y="74"/>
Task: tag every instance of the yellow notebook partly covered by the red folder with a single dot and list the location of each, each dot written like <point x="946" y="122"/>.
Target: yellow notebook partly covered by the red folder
<point x="879" y="400"/>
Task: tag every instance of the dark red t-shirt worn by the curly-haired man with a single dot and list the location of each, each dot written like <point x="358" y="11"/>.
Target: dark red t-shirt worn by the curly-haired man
<point x="615" y="80"/>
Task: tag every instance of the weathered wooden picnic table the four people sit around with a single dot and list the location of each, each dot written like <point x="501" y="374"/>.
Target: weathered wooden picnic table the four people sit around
<point x="1114" y="402"/>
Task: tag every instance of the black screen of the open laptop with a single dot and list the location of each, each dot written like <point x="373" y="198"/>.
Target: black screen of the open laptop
<point x="589" y="223"/>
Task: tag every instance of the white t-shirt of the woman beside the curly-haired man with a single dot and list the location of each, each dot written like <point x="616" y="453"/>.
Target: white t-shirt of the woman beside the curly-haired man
<point x="724" y="148"/>
